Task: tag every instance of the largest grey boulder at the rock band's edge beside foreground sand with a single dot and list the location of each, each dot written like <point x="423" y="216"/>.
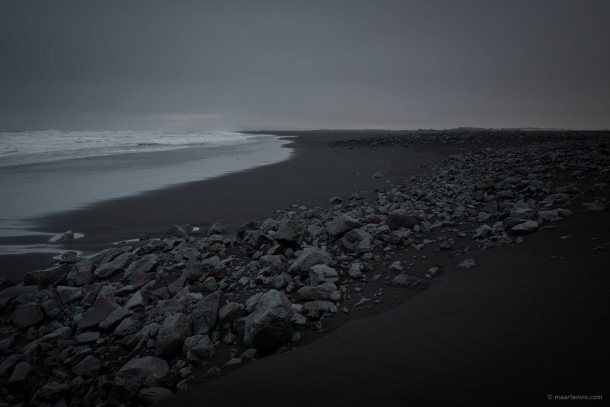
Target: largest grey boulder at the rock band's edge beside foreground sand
<point x="269" y="326"/>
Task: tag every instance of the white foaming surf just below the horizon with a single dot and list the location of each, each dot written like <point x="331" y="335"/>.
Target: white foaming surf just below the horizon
<point x="34" y="147"/>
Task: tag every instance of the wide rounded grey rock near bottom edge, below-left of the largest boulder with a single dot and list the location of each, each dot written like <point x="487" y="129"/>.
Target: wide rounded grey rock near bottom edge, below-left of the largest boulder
<point x="145" y="371"/>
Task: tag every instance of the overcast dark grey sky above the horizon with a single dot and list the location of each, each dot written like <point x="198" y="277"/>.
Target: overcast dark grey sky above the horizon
<point x="300" y="65"/>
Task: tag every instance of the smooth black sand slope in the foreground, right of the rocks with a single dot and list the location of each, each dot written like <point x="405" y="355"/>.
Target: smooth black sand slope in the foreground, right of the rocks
<point x="529" y="321"/>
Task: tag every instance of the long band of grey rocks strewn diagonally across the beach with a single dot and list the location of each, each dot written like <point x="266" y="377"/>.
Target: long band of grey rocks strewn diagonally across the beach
<point x="129" y="325"/>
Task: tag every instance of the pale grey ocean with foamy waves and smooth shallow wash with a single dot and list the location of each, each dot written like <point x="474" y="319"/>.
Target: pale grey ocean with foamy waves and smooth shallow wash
<point x="47" y="172"/>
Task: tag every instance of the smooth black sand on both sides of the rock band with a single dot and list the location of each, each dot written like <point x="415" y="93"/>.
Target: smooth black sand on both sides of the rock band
<point x="523" y="326"/>
